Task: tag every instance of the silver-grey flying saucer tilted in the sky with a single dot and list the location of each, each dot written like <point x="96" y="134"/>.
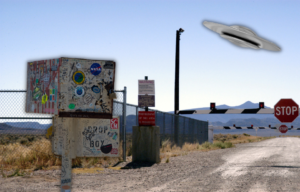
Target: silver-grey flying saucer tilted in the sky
<point x="241" y="36"/>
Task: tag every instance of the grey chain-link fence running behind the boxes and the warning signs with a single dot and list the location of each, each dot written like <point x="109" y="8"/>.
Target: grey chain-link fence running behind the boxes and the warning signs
<point x="19" y="130"/>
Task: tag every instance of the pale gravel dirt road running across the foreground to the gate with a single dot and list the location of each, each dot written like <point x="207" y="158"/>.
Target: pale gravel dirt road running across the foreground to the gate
<point x="270" y="165"/>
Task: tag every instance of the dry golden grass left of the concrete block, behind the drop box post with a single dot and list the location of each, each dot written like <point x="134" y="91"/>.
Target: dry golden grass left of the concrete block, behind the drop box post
<point x="16" y="155"/>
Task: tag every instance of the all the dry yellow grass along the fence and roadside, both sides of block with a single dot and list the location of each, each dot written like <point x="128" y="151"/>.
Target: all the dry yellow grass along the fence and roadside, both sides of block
<point x="25" y="154"/>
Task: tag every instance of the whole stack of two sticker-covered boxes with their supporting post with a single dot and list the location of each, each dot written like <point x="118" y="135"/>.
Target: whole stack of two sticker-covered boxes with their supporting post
<point x="79" y="93"/>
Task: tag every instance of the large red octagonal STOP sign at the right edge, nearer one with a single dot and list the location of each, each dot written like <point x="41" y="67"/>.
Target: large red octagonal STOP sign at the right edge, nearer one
<point x="286" y="110"/>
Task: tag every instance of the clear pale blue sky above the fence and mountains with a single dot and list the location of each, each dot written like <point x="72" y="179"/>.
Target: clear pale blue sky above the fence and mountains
<point x="140" y="36"/>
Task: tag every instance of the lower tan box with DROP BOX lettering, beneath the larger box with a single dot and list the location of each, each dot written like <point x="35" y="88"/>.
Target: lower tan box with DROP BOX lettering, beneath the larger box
<point x="87" y="137"/>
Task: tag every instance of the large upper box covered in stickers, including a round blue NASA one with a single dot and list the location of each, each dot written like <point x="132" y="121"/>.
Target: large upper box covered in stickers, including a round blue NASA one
<point x="71" y="87"/>
